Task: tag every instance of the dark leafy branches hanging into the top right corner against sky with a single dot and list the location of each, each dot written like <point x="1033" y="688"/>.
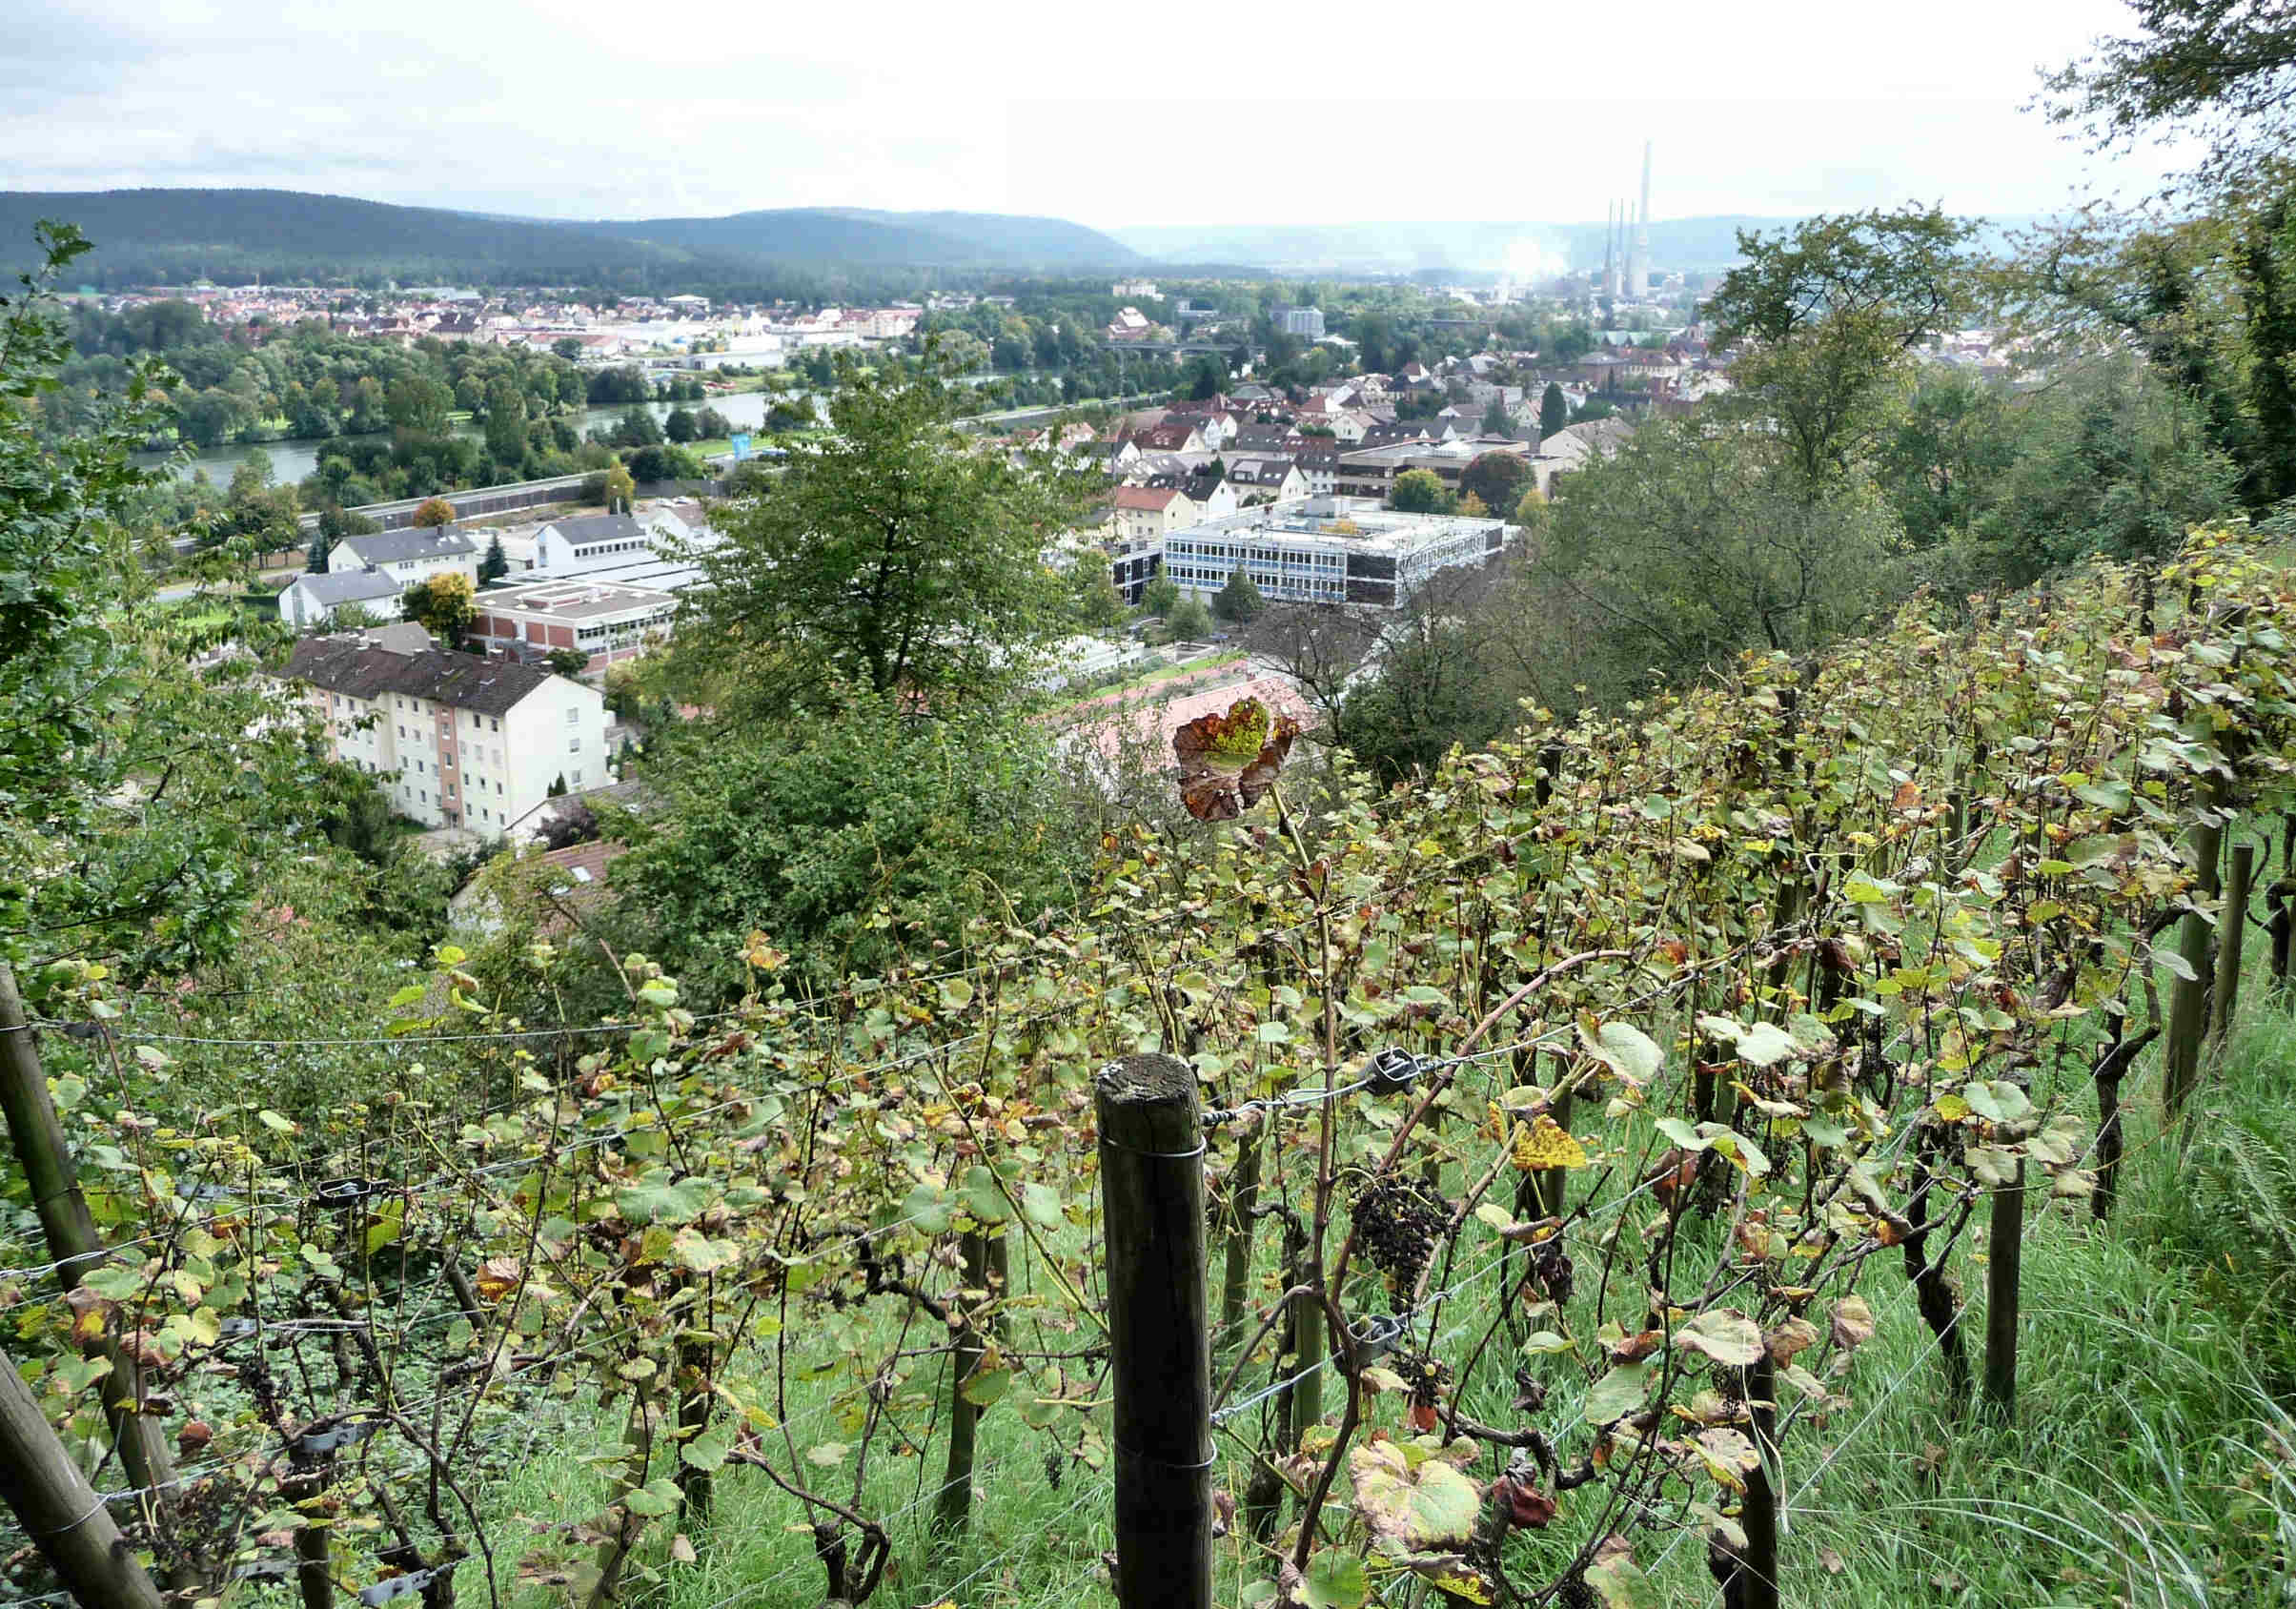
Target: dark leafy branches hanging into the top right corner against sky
<point x="2219" y="70"/>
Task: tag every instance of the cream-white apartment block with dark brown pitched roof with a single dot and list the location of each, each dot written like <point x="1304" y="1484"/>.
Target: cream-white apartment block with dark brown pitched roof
<point x="465" y="740"/>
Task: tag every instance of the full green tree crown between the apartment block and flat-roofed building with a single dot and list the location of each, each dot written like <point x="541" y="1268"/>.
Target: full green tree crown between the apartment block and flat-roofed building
<point x="887" y="559"/>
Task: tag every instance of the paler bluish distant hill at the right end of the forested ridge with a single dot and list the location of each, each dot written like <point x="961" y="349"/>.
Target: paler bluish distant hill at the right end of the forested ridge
<point x="883" y="238"/>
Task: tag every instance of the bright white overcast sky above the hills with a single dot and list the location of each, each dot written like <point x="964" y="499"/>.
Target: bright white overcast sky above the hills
<point x="1110" y="116"/>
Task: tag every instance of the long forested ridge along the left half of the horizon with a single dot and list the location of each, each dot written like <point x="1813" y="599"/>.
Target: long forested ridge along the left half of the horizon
<point x="164" y="238"/>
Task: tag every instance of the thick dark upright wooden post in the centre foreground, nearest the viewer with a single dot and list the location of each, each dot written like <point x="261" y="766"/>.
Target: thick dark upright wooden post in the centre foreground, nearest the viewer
<point x="1161" y="1346"/>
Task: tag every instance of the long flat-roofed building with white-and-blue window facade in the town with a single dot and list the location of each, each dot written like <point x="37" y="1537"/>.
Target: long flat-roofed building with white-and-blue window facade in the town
<point x="1331" y="552"/>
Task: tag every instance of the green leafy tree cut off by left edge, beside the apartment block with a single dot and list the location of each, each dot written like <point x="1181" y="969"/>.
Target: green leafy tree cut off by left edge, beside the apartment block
<point x="134" y="779"/>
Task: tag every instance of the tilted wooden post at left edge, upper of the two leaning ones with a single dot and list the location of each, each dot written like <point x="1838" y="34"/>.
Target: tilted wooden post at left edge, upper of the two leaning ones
<point x="72" y="1238"/>
